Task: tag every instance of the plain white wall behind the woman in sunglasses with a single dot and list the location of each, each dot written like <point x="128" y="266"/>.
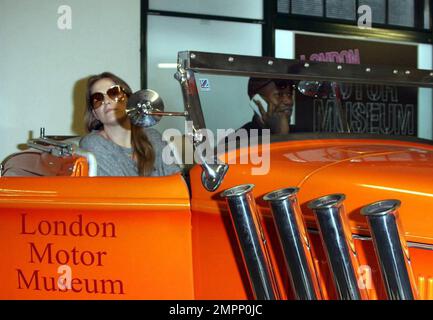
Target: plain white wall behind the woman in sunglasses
<point x="42" y="67"/>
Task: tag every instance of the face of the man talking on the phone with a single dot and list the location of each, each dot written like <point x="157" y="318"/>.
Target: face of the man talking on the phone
<point x="280" y="100"/>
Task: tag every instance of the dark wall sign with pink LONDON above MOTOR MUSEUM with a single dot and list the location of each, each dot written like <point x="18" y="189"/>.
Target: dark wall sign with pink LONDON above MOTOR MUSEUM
<point x="379" y="109"/>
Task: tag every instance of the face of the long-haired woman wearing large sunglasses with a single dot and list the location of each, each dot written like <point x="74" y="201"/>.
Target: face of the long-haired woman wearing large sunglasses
<point x="109" y="112"/>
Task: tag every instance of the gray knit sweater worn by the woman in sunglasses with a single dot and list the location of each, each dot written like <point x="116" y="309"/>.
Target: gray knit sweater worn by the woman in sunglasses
<point x="115" y="160"/>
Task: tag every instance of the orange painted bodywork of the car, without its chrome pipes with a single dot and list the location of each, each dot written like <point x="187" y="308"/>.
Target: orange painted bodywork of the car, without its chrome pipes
<point x="155" y="238"/>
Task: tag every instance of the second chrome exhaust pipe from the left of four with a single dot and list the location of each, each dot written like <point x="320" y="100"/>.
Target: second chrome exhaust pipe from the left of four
<point x="294" y="241"/>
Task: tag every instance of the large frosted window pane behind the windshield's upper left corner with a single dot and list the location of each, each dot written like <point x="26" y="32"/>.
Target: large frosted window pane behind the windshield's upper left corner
<point x="167" y="36"/>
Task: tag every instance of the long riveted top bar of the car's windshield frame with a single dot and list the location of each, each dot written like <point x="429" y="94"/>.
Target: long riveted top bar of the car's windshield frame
<point x="251" y="66"/>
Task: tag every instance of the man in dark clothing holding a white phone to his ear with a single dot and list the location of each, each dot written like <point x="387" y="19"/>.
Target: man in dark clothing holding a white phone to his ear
<point x="278" y="96"/>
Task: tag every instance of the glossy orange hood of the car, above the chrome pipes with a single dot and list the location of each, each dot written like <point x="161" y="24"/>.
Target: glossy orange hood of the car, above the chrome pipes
<point x="364" y="170"/>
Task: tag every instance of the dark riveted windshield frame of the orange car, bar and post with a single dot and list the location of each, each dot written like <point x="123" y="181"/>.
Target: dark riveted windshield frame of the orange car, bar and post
<point x="192" y="62"/>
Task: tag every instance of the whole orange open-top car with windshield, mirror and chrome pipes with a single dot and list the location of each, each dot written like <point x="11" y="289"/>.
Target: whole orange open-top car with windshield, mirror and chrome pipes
<point x="337" y="215"/>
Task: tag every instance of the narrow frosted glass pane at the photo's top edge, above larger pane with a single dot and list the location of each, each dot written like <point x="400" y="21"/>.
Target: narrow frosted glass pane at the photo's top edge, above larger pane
<point x="251" y="9"/>
